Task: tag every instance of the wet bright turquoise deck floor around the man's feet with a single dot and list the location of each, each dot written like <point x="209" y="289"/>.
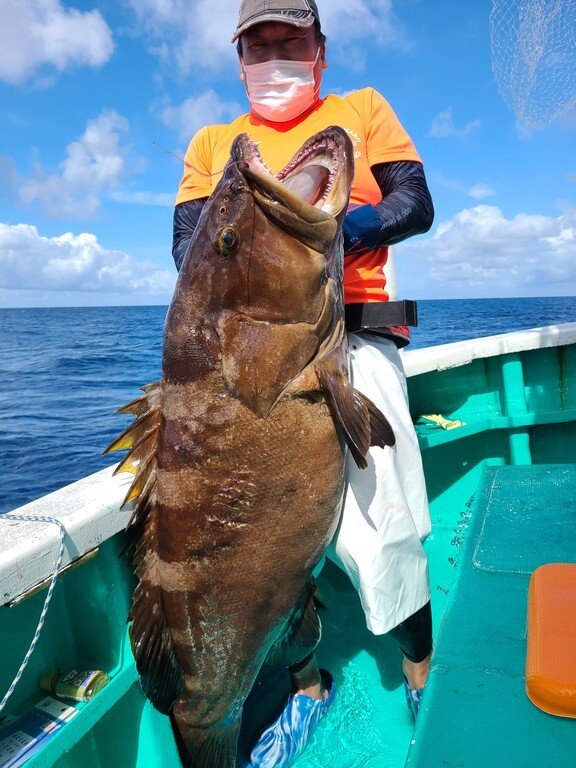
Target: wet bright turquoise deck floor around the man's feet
<point x="369" y="725"/>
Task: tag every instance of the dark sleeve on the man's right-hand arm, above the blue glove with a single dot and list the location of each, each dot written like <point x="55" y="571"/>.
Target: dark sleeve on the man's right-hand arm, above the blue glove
<point x="406" y="208"/>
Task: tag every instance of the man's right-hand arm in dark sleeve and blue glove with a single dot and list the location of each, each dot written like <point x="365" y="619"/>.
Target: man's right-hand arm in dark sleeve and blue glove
<point x="406" y="208"/>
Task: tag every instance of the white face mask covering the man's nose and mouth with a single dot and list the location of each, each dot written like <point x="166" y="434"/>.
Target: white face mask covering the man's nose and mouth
<point x="281" y="90"/>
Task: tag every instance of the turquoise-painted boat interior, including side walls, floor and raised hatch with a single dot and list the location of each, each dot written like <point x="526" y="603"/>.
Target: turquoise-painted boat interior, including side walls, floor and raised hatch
<point x="519" y="410"/>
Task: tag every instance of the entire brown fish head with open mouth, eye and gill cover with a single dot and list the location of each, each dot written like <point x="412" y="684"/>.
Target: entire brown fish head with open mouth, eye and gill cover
<point x="261" y="285"/>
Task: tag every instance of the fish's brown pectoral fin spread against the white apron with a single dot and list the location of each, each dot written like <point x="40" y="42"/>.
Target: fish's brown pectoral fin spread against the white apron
<point x="363" y="424"/>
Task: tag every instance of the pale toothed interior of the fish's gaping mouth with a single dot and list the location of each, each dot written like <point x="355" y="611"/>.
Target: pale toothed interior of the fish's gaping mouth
<point x="310" y="175"/>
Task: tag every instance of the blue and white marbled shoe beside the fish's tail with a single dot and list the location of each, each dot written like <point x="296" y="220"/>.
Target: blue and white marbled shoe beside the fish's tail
<point x="284" y="741"/>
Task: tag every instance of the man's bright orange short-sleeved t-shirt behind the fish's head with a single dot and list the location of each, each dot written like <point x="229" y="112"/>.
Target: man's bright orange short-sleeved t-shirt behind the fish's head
<point x="377" y="136"/>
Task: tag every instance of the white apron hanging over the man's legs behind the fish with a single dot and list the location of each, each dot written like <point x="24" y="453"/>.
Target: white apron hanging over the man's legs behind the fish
<point x="385" y="517"/>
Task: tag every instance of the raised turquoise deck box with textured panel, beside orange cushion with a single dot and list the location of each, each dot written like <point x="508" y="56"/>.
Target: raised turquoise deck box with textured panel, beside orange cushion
<point x="476" y="713"/>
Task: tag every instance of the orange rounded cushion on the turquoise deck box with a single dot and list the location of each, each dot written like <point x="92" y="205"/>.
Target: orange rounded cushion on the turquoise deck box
<point x="551" y="651"/>
